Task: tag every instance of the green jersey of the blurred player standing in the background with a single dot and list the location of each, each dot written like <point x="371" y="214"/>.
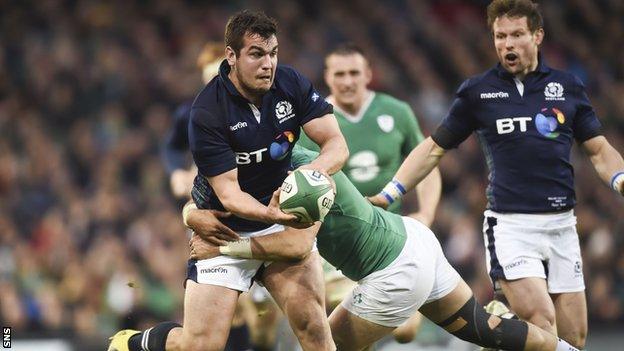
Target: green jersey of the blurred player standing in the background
<point x="379" y="139"/>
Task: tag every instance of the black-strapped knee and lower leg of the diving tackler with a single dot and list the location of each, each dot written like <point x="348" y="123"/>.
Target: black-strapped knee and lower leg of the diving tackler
<point x="471" y="323"/>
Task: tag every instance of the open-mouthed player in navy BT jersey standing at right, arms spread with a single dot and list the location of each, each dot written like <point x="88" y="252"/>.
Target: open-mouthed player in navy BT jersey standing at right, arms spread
<point x="526" y="116"/>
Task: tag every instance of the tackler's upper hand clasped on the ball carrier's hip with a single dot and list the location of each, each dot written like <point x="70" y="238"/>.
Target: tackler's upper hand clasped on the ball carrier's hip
<point x="206" y="224"/>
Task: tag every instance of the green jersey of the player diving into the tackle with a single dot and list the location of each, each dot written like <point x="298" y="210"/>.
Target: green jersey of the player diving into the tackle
<point x="356" y="237"/>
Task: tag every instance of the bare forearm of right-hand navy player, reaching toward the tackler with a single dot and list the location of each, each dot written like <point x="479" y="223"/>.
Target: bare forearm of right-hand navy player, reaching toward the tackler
<point x="419" y="163"/>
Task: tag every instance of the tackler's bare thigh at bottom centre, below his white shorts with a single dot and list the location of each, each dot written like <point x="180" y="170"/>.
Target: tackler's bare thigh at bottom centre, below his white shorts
<point x="351" y="332"/>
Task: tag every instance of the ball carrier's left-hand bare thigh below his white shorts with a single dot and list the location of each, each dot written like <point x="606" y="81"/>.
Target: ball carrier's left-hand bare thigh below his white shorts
<point x="208" y="312"/>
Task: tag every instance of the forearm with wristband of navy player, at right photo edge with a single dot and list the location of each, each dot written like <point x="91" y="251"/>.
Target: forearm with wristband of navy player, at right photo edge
<point x="607" y="162"/>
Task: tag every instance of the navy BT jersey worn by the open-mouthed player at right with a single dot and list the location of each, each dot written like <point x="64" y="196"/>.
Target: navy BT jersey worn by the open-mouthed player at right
<point x="526" y="138"/>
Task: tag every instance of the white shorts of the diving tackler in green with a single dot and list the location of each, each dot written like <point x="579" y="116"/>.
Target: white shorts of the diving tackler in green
<point x="420" y="274"/>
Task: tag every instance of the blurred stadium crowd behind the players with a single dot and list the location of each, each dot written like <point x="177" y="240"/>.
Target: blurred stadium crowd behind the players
<point x="87" y="89"/>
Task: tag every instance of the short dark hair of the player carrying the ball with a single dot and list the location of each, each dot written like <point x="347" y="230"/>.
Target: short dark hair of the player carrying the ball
<point x="248" y="22"/>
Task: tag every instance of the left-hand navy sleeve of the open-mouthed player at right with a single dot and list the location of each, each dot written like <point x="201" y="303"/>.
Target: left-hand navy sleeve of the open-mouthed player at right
<point x="459" y="123"/>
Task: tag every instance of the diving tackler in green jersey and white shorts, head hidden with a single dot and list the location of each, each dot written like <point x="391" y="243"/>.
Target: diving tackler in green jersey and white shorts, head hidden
<point x="399" y="266"/>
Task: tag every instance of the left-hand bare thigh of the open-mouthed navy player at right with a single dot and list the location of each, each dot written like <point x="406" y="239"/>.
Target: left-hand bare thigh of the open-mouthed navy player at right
<point x="529" y="299"/>
